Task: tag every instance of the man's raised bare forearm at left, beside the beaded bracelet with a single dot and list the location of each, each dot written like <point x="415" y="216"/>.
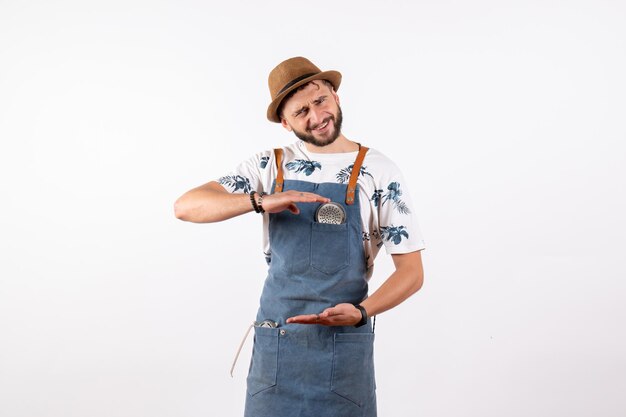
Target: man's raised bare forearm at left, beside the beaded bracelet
<point x="211" y="203"/>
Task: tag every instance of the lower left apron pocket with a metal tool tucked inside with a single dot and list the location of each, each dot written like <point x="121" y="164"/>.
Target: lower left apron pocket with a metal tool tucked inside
<point x="264" y="364"/>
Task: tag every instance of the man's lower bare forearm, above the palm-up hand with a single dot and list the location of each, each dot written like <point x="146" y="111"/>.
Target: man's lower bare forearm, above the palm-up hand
<point x="400" y="285"/>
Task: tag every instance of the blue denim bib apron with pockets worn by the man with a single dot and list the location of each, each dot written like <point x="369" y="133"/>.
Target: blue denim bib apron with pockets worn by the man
<point x="309" y="370"/>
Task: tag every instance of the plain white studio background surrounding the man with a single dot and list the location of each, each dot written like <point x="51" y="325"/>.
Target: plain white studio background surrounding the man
<point x="507" y="119"/>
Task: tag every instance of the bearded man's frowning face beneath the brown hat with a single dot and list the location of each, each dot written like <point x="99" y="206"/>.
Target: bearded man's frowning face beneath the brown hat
<point x="313" y="114"/>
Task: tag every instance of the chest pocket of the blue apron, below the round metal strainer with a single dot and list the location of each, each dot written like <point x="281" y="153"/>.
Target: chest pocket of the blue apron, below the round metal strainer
<point x="330" y="252"/>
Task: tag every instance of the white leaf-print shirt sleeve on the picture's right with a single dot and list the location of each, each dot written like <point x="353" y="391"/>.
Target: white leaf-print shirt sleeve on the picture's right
<point x="398" y="224"/>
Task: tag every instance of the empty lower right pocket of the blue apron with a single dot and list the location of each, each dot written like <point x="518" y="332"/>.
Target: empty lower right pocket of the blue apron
<point x="353" y="367"/>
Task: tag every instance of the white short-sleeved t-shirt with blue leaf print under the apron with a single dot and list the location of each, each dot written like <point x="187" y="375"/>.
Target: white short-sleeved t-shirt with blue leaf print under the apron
<point x="387" y="213"/>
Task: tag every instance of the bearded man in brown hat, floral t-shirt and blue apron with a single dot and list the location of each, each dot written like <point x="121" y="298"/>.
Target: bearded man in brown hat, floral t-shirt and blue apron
<point x="328" y="205"/>
